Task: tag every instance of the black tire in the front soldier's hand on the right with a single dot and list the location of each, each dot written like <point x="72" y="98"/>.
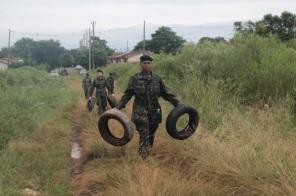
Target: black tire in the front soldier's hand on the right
<point x="173" y="117"/>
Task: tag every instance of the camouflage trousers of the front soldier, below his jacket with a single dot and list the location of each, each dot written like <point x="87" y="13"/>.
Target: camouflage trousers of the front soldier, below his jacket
<point x="147" y="135"/>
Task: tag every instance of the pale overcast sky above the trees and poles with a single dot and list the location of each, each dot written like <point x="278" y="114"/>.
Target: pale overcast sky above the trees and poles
<point x="68" y="19"/>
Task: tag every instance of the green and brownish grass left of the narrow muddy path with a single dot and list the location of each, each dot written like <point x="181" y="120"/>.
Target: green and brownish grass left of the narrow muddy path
<point x="35" y="129"/>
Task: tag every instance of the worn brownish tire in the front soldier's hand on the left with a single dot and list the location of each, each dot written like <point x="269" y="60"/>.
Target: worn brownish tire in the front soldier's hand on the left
<point x="124" y="121"/>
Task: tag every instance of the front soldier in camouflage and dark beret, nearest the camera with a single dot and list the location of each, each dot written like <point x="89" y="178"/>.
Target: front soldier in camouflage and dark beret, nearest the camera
<point x="146" y="87"/>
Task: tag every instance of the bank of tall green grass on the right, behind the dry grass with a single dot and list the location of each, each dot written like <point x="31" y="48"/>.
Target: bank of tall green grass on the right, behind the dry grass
<point x="257" y="70"/>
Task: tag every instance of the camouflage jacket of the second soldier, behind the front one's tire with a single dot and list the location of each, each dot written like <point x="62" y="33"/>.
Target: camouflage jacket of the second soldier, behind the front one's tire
<point x="100" y="84"/>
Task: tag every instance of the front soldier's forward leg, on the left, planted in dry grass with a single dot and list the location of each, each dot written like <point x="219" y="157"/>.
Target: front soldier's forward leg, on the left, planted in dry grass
<point x="144" y="145"/>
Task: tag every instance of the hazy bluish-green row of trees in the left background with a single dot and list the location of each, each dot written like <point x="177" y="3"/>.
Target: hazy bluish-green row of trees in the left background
<point x="51" y="54"/>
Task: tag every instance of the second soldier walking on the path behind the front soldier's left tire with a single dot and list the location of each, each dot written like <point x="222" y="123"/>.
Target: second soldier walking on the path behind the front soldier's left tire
<point x="100" y="84"/>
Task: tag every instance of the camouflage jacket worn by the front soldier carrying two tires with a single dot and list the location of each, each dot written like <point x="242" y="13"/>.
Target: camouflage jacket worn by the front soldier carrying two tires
<point x="146" y="88"/>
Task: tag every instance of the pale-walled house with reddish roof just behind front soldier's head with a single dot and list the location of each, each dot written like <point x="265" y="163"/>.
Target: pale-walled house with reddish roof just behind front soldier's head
<point x="130" y="57"/>
